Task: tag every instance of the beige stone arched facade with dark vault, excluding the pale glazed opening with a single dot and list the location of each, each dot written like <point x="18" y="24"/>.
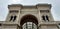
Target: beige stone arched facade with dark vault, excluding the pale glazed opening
<point x="41" y="13"/>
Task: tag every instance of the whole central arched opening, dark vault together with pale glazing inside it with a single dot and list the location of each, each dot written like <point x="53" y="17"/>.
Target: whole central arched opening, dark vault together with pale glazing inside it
<point x="29" y="22"/>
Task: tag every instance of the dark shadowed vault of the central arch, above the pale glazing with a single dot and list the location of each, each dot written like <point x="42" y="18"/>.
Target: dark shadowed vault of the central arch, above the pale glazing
<point x="28" y="18"/>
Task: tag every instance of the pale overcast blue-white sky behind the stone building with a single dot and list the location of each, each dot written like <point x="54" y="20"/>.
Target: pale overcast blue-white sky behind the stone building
<point x="55" y="10"/>
